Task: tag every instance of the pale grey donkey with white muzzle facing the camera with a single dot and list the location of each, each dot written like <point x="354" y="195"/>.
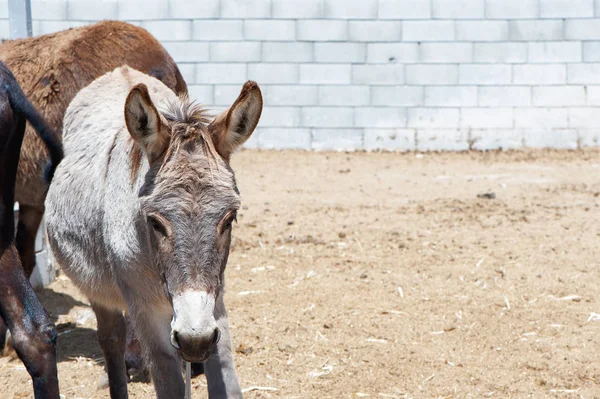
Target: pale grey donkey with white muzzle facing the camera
<point x="139" y="217"/>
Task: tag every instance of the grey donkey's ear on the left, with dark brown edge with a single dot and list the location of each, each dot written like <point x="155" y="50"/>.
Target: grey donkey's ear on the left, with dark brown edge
<point x="144" y="123"/>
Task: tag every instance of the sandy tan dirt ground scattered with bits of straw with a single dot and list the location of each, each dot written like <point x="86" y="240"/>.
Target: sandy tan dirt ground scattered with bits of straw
<point x="395" y="276"/>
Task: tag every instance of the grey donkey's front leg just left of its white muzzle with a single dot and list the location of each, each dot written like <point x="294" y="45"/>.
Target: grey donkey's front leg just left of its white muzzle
<point x="154" y="333"/>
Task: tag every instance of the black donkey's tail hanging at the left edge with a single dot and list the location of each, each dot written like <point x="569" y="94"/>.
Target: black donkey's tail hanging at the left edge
<point x="21" y="104"/>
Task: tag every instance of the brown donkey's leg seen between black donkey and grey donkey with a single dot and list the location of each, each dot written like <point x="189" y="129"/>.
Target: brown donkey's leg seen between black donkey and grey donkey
<point x="30" y="218"/>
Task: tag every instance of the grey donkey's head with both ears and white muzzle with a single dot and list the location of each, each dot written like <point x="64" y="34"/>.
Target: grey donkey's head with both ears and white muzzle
<point x="189" y="203"/>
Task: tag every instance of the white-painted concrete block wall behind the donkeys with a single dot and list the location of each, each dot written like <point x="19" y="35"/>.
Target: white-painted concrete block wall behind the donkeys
<point x="380" y="74"/>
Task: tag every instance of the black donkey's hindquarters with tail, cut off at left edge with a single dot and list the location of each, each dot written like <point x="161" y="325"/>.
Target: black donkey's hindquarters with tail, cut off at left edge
<point x="34" y="334"/>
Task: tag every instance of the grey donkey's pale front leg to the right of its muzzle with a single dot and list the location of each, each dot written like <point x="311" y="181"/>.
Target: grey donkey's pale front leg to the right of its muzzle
<point x="220" y="372"/>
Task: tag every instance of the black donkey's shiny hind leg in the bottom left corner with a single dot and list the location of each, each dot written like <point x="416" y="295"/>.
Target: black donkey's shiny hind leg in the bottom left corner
<point x="34" y="334"/>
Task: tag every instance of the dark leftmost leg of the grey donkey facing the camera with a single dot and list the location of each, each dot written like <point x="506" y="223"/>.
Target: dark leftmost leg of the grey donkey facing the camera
<point x="111" y="335"/>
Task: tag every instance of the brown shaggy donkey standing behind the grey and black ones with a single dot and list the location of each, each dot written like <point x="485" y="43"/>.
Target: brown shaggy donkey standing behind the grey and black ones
<point x="51" y="69"/>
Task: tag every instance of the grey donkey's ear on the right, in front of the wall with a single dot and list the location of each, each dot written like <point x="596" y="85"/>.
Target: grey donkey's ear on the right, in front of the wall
<point x="234" y="126"/>
